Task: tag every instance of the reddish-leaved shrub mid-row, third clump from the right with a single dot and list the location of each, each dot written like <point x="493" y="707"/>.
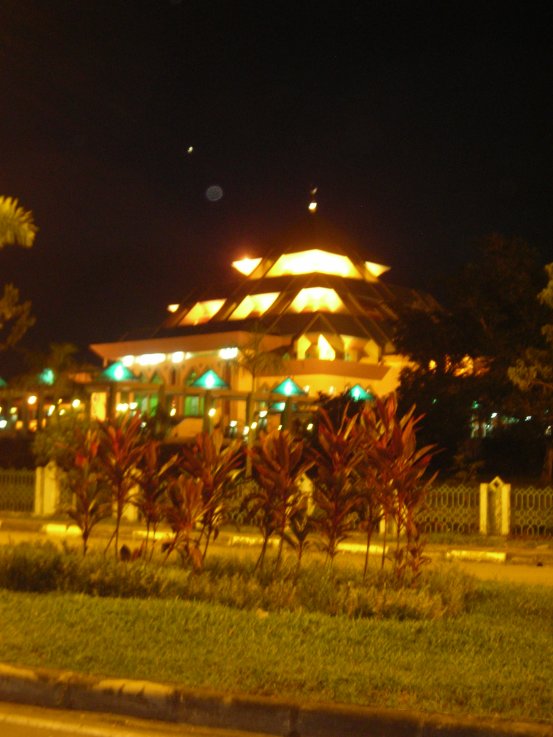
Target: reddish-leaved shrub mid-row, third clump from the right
<point x="279" y="465"/>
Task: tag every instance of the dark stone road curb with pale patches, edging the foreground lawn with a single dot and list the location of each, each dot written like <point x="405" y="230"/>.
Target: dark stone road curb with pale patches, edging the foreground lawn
<point x="273" y="716"/>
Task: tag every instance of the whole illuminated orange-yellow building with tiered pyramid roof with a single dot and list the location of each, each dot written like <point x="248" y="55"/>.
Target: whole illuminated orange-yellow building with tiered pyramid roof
<point x="322" y="317"/>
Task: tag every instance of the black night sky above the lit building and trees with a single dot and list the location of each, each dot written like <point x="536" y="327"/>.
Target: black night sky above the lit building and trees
<point x="423" y="125"/>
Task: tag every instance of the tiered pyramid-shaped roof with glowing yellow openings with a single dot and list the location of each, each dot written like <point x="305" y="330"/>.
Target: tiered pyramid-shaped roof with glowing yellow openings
<point x="294" y="290"/>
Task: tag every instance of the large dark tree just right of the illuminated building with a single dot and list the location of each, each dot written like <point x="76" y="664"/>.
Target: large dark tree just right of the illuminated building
<point x="461" y="352"/>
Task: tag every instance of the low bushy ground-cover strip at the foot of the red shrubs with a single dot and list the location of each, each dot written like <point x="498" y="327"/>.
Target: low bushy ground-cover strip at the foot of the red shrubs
<point x="236" y="582"/>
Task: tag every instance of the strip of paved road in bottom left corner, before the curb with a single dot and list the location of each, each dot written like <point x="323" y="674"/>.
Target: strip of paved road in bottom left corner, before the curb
<point x="18" y="720"/>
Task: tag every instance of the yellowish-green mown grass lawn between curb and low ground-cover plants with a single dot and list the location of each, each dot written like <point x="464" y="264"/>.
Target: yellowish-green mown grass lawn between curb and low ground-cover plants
<point x="495" y="659"/>
